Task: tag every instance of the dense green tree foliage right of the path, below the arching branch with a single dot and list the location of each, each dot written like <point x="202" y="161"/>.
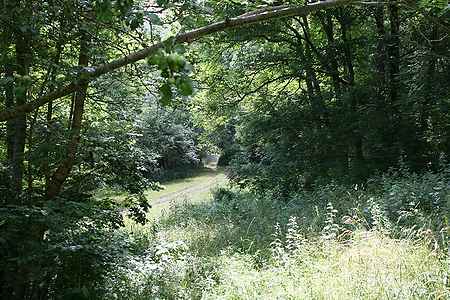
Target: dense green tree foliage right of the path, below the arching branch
<point x="307" y="105"/>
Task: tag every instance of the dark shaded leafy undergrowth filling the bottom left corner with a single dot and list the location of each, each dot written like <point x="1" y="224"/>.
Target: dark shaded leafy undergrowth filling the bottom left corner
<point x="78" y="246"/>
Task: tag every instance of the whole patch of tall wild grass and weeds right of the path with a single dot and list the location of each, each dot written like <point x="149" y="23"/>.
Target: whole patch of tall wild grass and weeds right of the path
<point x="335" y="243"/>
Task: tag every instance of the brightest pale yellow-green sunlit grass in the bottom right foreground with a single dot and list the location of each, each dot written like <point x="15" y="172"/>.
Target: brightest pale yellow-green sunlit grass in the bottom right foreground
<point x="372" y="266"/>
